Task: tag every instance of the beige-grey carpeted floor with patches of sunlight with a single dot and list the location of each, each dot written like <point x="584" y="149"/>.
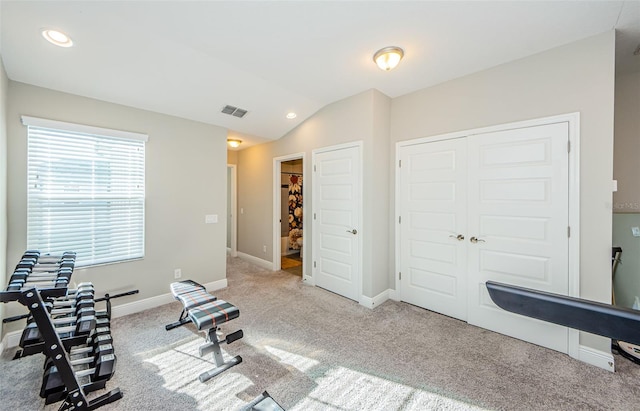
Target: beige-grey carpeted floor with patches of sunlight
<point x="314" y="350"/>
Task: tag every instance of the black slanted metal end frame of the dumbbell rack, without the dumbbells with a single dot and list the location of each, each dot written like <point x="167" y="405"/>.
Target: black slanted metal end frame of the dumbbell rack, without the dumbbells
<point x="54" y="348"/>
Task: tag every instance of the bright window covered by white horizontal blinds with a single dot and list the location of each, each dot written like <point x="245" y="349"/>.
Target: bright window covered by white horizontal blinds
<point x="85" y="191"/>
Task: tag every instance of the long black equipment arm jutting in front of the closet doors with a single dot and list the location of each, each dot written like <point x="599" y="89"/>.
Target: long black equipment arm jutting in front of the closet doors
<point x="603" y="319"/>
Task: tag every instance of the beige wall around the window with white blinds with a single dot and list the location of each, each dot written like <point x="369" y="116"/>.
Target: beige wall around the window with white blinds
<point x="185" y="180"/>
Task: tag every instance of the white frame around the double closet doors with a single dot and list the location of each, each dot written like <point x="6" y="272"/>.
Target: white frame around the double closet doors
<point x="573" y="120"/>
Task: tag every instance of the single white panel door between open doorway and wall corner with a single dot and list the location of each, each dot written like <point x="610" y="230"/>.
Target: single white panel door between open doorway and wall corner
<point x="336" y="224"/>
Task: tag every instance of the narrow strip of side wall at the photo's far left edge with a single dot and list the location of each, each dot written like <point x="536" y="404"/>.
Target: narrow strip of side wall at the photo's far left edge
<point x="3" y="182"/>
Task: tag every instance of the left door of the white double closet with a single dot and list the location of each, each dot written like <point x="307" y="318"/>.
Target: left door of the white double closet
<point x="433" y="212"/>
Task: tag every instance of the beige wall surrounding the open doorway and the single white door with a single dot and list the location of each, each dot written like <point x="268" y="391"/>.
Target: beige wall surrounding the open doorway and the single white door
<point x="349" y="120"/>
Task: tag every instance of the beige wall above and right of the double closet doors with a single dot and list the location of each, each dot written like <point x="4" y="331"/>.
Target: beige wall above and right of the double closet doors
<point x="578" y="77"/>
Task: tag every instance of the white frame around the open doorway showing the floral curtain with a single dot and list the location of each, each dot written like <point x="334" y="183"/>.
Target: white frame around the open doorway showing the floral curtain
<point x="277" y="203"/>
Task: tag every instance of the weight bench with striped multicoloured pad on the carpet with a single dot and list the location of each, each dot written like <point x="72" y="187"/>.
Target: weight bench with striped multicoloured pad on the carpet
<point x="206" y="312"/>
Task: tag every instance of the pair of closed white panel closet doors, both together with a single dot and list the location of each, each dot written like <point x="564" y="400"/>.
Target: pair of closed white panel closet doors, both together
<point x="490" y="206"/>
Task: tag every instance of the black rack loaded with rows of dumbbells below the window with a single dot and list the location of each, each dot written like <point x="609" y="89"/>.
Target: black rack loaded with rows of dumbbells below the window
<point x="64" y="325"/>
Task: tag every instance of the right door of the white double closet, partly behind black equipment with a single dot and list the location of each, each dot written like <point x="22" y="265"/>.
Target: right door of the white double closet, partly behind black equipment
<point x="518" y="211"/>
